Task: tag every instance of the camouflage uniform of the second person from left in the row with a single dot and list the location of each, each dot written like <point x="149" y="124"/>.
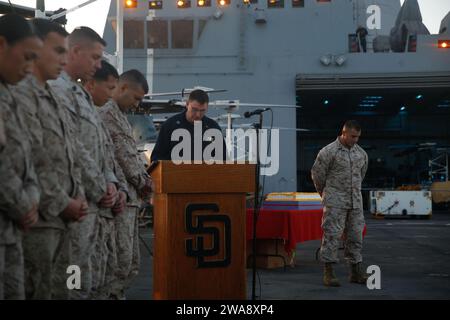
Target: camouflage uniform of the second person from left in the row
<point x="46" y="247"/>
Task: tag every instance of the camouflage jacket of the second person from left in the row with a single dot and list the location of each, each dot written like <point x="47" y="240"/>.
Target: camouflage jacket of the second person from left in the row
<point x="54" y="146"/>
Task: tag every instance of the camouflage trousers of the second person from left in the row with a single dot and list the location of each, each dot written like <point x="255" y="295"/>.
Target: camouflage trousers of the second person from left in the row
<point x="46" y="256"/>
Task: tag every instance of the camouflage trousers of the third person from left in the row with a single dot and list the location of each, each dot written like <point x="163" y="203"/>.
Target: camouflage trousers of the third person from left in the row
<point x="83" y="241"/>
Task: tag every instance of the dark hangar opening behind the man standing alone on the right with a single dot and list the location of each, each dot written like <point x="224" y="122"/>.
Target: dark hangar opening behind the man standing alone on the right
<point x="405" y="124"/>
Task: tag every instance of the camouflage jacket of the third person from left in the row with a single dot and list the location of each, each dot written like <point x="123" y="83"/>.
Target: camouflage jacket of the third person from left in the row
<point x="89" y="130"/>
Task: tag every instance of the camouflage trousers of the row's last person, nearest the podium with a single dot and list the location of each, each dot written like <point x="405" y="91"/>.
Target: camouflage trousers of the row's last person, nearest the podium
<point x="128" y="256"/>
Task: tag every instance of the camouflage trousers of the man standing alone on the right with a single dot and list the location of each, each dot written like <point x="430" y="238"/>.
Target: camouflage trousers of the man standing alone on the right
<point x="338" y="224"/>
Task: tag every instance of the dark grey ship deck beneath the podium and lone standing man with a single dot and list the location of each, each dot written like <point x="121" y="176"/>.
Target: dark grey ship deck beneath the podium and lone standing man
<point x="413" y="255"/>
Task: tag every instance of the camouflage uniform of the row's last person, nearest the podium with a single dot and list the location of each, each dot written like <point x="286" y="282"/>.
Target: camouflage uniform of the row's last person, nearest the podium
<point x="126" y="224"/>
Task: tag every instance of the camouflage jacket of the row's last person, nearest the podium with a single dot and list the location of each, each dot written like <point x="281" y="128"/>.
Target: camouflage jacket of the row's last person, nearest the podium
<point x="125" y="149"/>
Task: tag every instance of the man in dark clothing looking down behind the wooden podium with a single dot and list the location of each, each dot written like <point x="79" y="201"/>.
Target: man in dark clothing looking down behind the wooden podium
<point x="191" y="135"/>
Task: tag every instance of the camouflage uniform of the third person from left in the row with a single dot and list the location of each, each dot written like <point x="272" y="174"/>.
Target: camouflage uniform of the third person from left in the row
<point x="84" y="235"/>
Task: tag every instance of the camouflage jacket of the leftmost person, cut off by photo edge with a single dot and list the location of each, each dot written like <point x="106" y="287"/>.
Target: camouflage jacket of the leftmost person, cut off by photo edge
<point x="19" y="190"/>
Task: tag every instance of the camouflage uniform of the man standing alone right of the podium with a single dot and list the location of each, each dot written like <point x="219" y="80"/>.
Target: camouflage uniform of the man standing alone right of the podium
<point x="337" y="174"/>
